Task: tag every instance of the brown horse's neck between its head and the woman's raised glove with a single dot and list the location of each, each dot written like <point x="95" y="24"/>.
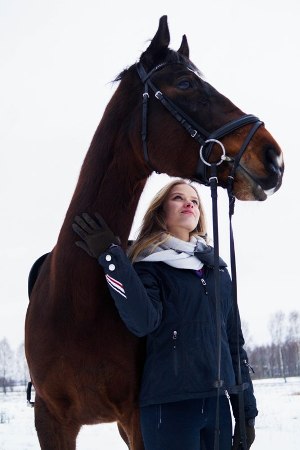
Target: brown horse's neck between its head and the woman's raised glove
<point x="112" y="177"/>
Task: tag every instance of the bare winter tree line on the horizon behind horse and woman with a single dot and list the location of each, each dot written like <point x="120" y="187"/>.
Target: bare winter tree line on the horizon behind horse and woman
<point x="280" y="358"/>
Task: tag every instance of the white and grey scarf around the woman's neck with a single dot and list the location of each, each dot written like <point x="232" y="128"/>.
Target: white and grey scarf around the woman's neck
<point x="177" y="253"/>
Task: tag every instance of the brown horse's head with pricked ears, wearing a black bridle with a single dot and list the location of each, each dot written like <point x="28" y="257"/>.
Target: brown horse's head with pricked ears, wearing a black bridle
<point x="182" y="111"/>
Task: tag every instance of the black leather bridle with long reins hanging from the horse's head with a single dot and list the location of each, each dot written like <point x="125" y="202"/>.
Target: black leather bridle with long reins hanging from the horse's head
<point x="207" y="141"/>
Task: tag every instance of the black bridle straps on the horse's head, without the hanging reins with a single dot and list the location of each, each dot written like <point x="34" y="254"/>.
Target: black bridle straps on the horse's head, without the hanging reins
<point x="203" y="137"/>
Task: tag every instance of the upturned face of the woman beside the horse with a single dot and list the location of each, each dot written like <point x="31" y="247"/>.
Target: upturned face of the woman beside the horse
<point x="181" y="209"/>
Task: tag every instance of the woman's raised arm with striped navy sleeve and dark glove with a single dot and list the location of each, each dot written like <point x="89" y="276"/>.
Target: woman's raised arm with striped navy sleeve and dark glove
<point x="137" y="299"/>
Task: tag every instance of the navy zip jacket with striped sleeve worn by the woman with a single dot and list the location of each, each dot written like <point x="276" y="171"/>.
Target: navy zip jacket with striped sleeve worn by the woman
<point x="175" y="309"/>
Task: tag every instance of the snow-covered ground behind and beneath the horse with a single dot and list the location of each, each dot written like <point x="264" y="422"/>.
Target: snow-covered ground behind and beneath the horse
<point x="278" y="423"/>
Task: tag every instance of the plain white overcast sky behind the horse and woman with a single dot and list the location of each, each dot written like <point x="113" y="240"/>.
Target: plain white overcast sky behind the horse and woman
<point x="57" y="59"/>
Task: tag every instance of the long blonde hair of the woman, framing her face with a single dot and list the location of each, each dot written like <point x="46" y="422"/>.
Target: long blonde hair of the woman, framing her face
<point x="153" y="231"/>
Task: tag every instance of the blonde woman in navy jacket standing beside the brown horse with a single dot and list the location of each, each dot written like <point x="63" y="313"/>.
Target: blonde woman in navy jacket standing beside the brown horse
<point x="168" y="296"/>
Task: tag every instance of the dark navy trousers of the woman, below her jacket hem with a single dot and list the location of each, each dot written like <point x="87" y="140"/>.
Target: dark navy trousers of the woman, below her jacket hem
<point x="186" y="425"/>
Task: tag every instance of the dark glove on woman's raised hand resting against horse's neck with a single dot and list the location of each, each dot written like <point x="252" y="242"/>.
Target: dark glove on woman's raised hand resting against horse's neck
<point x="96" y="235"/>
